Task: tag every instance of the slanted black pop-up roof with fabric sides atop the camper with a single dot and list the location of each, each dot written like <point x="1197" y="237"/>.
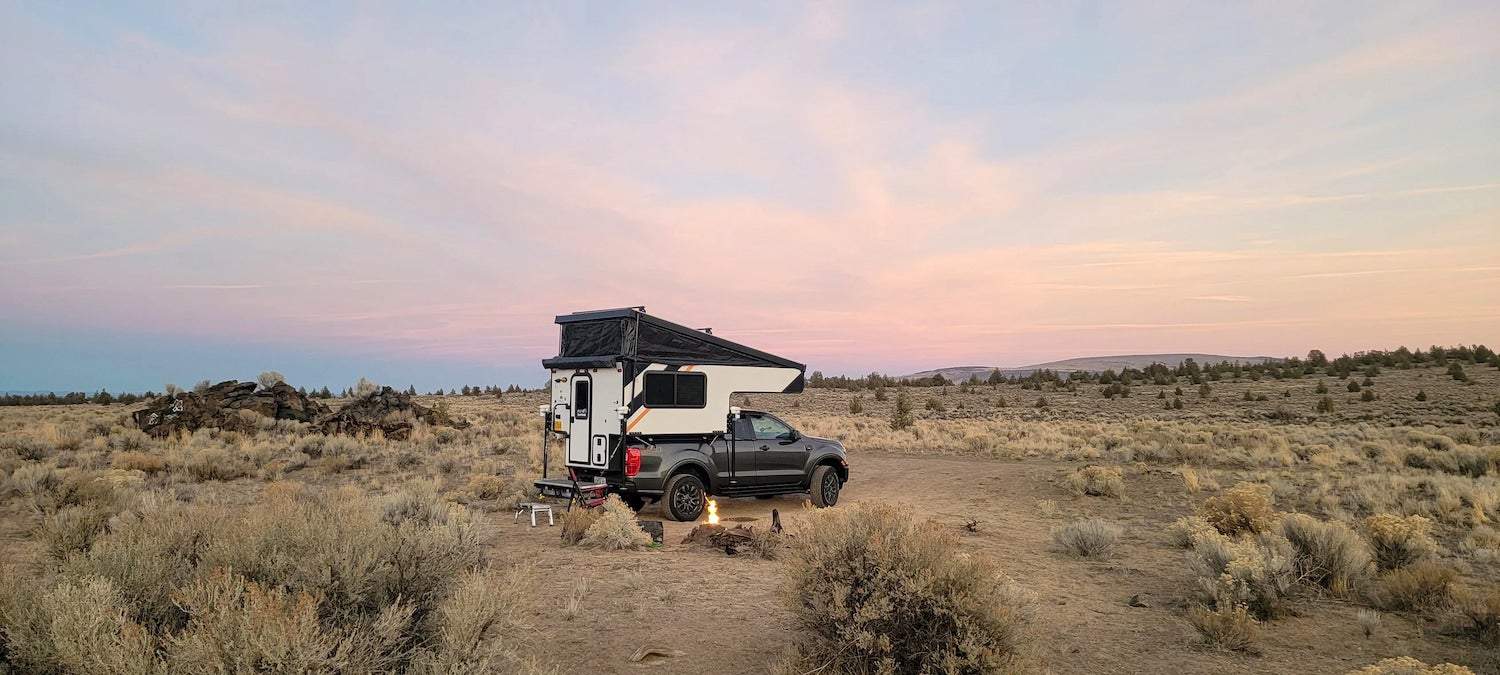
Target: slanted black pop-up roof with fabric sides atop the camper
<point x="604" y="338"/>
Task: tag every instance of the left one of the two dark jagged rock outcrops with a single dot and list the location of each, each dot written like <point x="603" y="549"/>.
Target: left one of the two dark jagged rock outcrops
<point x="221" y="406"/>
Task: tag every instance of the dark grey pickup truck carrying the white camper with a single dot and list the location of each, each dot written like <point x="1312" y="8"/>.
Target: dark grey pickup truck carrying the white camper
<point x="763" y="457"/>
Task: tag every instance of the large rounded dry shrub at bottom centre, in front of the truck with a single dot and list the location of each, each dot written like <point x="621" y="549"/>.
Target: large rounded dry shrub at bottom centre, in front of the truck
<point x="872" y="589"/>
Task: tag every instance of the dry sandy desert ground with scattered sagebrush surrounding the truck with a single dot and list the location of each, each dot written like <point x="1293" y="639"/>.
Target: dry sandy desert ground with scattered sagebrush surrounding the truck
<point x="124" y="553"/>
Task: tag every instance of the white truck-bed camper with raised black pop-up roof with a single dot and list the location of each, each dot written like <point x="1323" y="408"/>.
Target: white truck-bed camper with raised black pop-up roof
<point x="623" y="374"/>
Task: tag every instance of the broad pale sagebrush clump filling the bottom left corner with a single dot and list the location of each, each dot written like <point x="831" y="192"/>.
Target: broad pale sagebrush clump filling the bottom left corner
<point x="299" y="583"/>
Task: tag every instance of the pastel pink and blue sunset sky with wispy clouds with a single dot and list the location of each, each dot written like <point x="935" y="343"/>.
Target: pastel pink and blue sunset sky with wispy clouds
<point x="413" y="191"/>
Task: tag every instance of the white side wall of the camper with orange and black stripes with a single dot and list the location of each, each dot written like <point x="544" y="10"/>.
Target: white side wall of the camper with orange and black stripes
<point x="722" y="383"/>
